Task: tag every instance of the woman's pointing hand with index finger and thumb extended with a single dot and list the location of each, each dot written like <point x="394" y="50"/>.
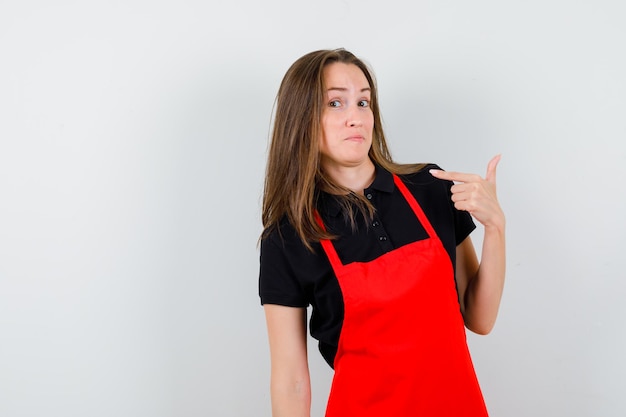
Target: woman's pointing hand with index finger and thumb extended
<point x="476" y="195"/>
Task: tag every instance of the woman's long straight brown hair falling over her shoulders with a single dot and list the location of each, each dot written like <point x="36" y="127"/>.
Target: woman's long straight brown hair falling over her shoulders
<point x="294" y="177"/>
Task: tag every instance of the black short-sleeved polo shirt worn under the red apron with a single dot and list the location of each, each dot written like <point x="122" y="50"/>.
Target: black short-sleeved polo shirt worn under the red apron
<point x="291" y="275"/>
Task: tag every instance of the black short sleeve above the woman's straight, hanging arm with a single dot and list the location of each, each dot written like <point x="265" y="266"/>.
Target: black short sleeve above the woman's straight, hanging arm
<point x="278" y="284"/>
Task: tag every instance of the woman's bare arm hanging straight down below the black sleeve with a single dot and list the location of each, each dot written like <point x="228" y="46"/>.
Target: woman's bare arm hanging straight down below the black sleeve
<point x="290" y="385"/>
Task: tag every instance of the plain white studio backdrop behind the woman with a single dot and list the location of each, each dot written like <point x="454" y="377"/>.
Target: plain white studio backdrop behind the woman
<point x="133" y="139"/>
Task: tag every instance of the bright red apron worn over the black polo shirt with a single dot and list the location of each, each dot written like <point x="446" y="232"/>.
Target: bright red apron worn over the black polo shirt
<point x="402" y="350"/>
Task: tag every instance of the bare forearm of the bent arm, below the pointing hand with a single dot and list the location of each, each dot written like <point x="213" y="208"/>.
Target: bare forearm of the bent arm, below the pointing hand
<point x="484" y="292"/>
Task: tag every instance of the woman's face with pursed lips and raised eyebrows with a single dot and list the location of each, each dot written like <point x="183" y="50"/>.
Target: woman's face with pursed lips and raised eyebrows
<point x="347" y="119"/>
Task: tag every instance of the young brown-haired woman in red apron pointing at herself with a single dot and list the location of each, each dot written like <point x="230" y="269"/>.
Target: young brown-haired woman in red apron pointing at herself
<point x="381" y="251"/>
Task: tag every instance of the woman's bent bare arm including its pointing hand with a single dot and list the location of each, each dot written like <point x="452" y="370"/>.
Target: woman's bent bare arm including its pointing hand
<point x="480" y="285"/>
